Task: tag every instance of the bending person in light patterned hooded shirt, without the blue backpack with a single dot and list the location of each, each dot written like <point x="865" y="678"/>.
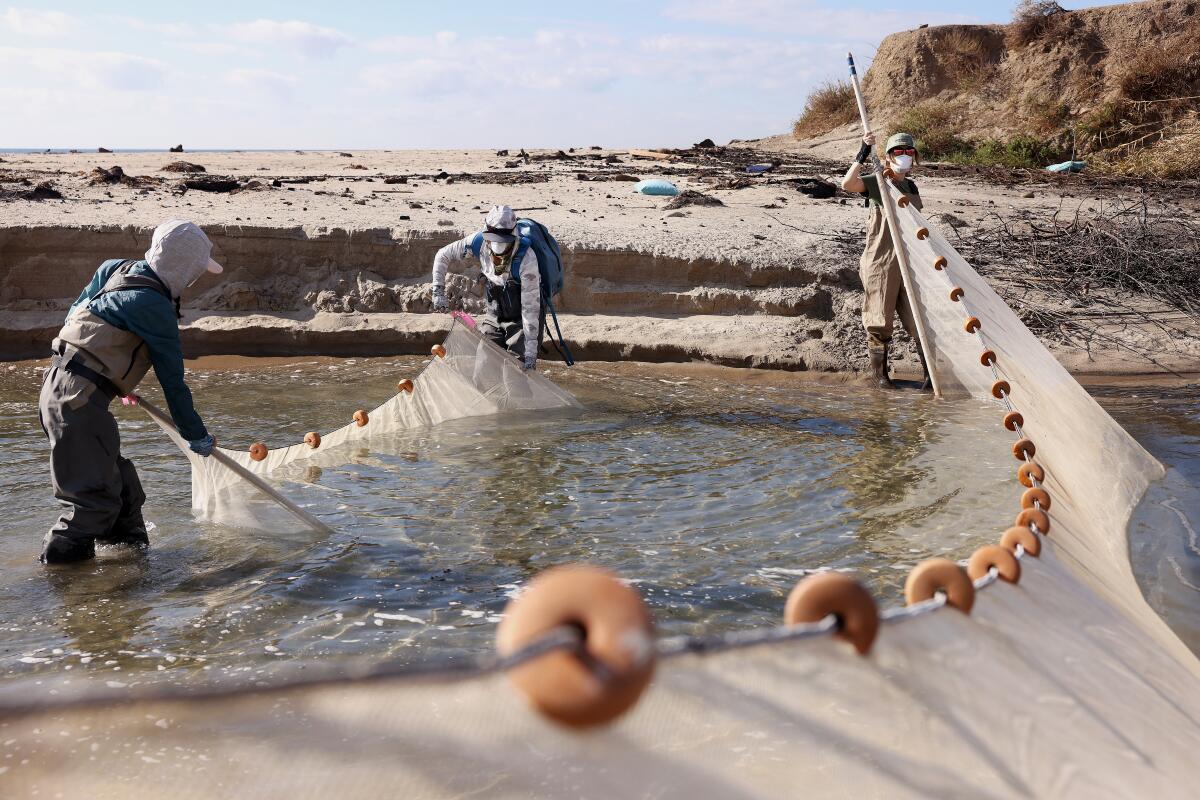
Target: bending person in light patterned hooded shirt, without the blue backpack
<point x="513" y="285"/>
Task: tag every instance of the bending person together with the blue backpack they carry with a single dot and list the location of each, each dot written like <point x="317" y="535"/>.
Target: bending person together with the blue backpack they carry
<point x="523" y="269"/>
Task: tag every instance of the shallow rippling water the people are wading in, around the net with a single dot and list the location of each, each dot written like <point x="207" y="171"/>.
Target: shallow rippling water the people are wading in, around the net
<point x="712" y="490"/>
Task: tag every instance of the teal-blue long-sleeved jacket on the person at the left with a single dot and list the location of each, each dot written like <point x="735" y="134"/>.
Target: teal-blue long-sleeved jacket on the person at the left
<point x="152" y="317"/>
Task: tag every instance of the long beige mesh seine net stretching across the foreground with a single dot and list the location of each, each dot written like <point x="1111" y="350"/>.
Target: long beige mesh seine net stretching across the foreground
<point x="1063" y="685"/>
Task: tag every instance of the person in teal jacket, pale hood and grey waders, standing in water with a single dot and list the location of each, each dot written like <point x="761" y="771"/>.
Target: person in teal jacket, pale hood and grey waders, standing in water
<point x="125" y="322"/>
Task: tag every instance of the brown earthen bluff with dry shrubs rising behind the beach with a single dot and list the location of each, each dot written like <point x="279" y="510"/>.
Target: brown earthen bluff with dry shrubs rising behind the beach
<point x="1118" y="88"/>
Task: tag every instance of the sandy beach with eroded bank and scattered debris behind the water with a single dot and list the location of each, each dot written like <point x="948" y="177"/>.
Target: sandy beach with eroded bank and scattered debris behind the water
<point x="331" y="252"/>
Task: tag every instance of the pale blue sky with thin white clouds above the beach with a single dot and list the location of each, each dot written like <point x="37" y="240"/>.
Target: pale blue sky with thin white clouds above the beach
<point x="431" y="75"/>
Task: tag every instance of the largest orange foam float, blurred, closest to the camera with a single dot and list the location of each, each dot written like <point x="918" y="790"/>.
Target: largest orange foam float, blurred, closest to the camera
<point x="619" y="646"/>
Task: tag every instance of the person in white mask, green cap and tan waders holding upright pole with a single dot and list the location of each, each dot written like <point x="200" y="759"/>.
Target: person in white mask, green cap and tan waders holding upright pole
<point x="879" y="267"/>
